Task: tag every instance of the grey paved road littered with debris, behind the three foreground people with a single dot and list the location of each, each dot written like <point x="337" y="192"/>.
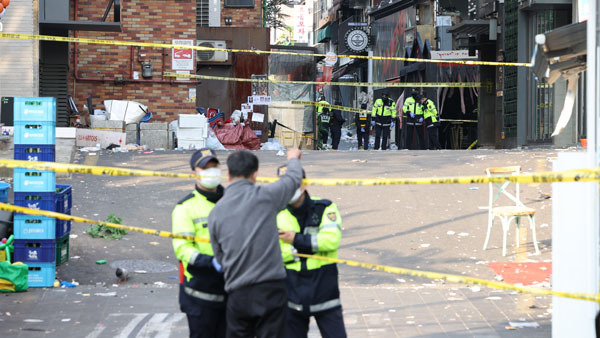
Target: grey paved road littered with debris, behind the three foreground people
<point x="431" y="227"/>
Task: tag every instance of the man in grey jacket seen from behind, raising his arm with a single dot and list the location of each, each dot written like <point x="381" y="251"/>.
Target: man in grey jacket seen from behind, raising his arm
<point x="244" y="238"/>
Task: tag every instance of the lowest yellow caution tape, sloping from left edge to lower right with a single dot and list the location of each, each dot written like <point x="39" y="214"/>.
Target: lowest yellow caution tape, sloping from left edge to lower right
<point x="390" y="269"/>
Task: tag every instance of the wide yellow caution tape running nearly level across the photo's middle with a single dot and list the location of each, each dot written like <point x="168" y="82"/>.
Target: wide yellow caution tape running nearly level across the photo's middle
<point x="579" y="175"/>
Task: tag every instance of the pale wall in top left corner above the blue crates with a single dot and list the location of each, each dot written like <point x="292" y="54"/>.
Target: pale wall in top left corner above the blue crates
<point x="19" y="59"/>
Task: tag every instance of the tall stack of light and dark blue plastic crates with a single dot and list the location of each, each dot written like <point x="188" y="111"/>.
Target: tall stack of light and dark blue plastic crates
<point x="40" y="242"/>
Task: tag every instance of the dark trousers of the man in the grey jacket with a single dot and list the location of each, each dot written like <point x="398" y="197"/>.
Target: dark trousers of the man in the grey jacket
<point x="257" y="311"/>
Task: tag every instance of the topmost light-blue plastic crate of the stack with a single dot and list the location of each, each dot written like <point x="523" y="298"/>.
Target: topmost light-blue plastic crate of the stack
<point x="35" y="109"/>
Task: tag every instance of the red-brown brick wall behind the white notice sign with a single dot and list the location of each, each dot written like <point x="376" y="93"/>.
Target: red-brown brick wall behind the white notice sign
<point x="100" y="69"/>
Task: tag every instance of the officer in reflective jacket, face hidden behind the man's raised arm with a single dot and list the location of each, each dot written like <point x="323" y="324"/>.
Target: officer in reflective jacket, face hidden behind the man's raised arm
<point x="311" y="225"/>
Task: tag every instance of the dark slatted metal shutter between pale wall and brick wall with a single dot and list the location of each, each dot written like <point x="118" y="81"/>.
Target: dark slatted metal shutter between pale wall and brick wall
<point x="53" y="83"/>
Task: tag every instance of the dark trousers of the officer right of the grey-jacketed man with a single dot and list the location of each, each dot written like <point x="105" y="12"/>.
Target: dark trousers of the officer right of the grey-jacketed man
<point x="330" y="323"/>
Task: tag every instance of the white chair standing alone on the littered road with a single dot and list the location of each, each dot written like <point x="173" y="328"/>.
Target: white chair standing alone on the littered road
<point x="508" y="213"/>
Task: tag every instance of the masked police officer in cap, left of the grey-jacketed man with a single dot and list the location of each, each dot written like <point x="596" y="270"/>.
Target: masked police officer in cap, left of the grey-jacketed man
<point x="202" y="291"/>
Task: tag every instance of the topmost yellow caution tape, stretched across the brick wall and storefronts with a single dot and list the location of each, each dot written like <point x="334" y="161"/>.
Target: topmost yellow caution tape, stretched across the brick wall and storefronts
<point x="254" y="51"/>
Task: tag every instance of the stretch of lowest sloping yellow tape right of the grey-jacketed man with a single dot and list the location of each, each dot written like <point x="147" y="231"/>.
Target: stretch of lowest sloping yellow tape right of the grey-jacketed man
<point x="458" y="279"/>
